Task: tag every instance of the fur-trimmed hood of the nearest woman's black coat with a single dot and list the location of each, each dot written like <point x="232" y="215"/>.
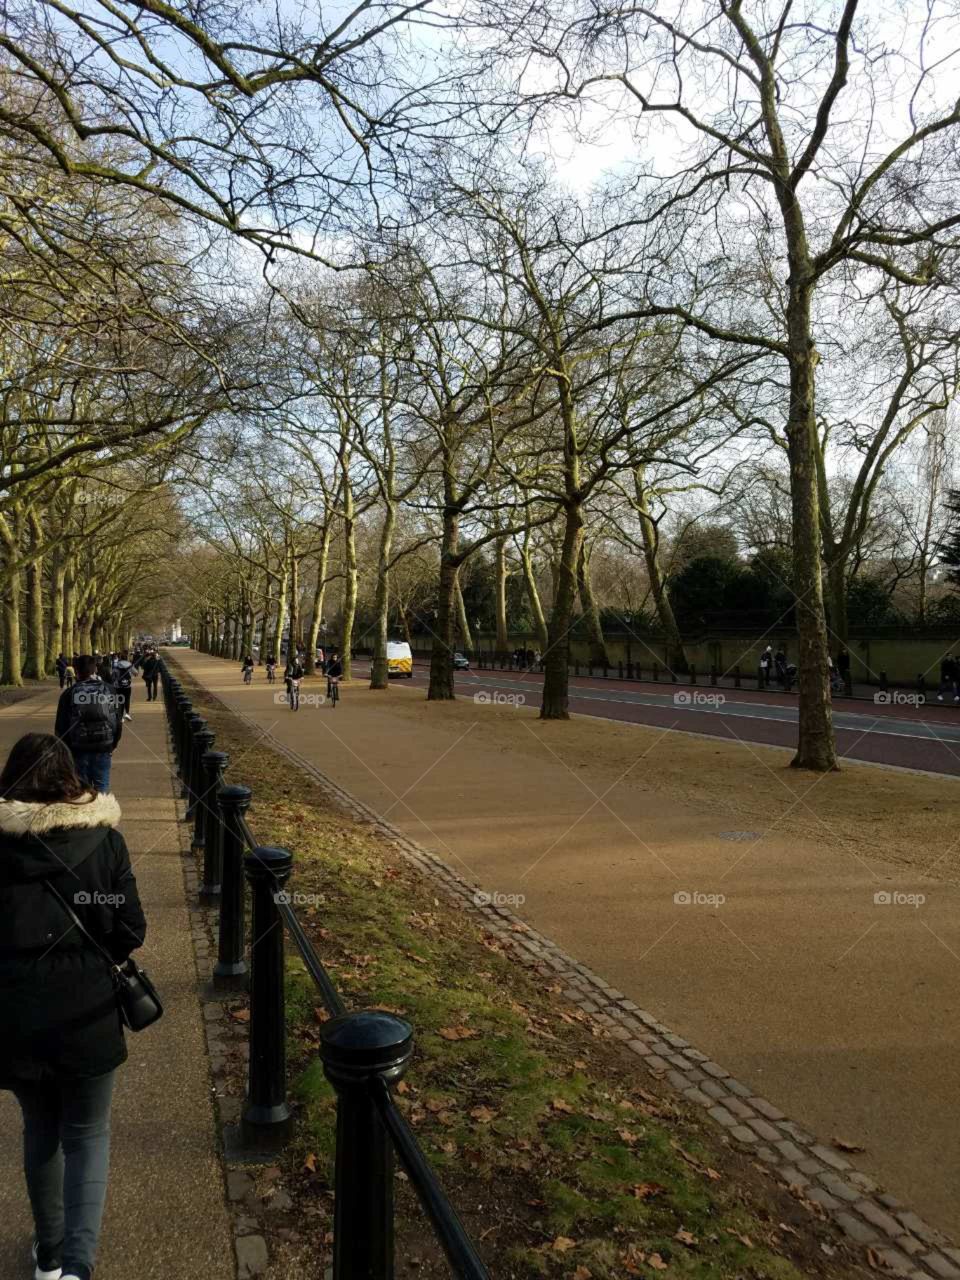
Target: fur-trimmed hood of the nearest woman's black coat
<point x="43" y="840"/>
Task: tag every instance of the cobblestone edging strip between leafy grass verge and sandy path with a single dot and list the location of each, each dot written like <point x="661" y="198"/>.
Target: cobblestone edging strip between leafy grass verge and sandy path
<point x="897" y="1238"/>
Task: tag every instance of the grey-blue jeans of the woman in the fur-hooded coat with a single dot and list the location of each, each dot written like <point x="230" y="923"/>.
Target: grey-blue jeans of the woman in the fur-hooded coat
<point x="67" y="1160"/>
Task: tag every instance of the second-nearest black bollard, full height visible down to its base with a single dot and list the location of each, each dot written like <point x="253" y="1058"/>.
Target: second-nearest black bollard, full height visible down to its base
<point x="266" y="1122"/>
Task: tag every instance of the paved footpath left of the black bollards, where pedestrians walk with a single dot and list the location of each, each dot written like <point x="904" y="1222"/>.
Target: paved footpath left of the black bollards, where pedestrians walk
<point x="166" y="1212"/>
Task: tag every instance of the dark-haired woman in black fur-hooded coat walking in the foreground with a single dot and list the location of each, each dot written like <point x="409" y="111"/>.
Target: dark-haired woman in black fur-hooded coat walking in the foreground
<point x="61" y="1032"/>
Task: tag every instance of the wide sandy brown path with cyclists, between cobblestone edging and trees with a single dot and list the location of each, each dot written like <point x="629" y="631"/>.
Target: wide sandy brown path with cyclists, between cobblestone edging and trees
<point x="842" y="1009"/>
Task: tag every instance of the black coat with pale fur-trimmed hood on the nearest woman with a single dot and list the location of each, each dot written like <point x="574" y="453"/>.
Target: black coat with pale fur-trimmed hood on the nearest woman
<point x="58" y="1009"/>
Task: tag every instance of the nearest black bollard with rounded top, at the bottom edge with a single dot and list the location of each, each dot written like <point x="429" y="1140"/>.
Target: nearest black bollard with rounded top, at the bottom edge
<point x="363" y="1053"/>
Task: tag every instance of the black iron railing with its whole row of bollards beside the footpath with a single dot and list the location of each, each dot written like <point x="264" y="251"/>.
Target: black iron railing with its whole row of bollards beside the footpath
<point x="363" y="1053"/>
